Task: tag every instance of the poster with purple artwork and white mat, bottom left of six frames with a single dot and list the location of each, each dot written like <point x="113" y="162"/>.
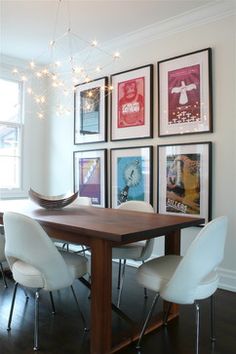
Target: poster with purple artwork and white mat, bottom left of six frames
<point x="90" y="175"/>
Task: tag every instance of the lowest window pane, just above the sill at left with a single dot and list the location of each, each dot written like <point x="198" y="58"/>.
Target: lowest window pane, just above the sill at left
<point x="10" y="172"/>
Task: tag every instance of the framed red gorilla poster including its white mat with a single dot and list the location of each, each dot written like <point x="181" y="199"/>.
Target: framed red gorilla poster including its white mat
<point x="132" y="108"/>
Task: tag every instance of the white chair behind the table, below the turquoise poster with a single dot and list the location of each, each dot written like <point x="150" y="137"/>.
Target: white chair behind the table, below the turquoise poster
<point x="137" y="251"/>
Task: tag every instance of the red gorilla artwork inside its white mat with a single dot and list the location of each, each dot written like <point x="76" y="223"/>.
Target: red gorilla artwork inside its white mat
<point x="131" y="98"/>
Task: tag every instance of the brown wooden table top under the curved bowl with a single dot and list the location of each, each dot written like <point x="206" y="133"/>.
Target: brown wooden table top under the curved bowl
<point x="106" y="223"/>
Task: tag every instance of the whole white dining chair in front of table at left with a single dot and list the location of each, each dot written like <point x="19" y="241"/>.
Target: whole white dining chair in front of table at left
<point x="36" y="263"/>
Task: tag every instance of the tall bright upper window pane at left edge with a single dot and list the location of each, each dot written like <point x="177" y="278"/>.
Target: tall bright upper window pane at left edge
<point x="9" y="101"/>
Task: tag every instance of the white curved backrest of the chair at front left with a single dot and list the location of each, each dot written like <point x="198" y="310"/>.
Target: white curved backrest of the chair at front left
<point x="27" y="241"/>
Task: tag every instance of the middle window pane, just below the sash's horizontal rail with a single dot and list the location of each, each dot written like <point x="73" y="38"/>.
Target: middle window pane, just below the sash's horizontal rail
<point x="9" y="141"/>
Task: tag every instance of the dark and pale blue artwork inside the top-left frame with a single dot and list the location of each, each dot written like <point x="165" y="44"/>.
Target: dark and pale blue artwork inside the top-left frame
<point x="90" y="111"/>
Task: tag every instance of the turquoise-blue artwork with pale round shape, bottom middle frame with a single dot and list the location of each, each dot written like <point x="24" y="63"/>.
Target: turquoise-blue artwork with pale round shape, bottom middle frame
<point x="130" y="180"/>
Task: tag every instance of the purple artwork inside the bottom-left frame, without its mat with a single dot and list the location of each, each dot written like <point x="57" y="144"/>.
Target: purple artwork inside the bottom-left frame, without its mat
<point x="89" y="181"/>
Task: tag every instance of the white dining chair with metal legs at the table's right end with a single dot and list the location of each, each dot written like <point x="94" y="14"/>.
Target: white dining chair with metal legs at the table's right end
<point x="188" y="279"/>
